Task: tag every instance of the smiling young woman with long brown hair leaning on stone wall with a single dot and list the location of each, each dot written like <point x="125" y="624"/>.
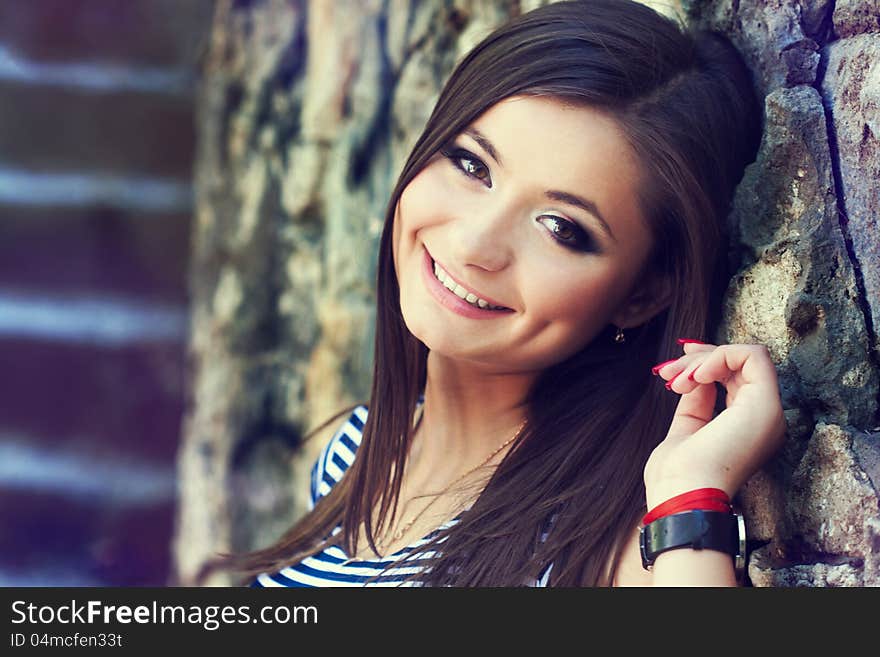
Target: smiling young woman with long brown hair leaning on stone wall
<point x="553" y="253"/>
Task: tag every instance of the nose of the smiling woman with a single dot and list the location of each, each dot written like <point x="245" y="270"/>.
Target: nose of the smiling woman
<point x="484" y="236"/>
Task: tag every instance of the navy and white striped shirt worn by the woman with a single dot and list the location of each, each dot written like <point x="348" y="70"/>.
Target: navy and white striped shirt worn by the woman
<point x="331" y="566"/>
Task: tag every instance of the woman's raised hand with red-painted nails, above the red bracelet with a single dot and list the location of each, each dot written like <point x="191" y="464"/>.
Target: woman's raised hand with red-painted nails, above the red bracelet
<point x="721" y="452"/>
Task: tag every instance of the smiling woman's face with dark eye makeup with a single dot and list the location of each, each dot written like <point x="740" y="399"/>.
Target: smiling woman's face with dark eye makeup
<point x="496" y="211"/>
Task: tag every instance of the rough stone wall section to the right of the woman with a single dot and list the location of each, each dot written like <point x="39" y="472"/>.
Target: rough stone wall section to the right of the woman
<point x="805" y="248"/>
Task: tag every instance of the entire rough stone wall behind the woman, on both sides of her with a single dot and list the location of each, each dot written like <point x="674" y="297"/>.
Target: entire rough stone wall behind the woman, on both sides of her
<point x="308" y="110"/>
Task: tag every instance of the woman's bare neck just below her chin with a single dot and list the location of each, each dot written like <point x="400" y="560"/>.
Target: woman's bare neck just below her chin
<point x="468" y="413"/>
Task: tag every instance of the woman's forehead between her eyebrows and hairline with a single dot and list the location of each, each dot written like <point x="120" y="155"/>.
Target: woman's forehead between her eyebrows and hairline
<point x="545" y="143"/>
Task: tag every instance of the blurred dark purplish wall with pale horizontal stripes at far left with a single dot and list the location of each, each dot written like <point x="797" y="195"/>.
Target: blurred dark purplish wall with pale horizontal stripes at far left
<point x="96" y="150"/>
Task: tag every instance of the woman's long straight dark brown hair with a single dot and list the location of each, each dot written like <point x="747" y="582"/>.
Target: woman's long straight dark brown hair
<point x="686" y="103"/>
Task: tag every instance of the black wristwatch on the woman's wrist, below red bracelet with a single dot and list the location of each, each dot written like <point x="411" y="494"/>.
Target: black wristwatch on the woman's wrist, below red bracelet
<point x="701" y="530"/>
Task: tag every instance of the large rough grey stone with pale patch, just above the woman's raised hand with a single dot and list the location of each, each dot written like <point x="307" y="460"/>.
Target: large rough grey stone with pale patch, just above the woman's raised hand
<point x="795" y="290"/>
